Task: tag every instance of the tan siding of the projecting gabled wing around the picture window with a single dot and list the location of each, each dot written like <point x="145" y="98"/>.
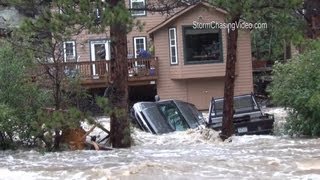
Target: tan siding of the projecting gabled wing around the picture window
<point x="199" y="83"/>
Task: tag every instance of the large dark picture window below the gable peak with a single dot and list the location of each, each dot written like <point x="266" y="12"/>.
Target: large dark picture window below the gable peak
<point x="202" y="45"/>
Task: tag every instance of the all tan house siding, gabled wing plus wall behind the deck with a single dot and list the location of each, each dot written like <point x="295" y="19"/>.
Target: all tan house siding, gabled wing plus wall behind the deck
<point x="196" y="83"/>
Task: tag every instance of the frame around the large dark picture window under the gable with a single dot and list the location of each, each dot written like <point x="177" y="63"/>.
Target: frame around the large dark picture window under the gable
<point x="186" y="62"/>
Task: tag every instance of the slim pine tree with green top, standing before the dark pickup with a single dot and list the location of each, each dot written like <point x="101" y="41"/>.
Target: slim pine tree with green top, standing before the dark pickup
<point x="245" y="10"/>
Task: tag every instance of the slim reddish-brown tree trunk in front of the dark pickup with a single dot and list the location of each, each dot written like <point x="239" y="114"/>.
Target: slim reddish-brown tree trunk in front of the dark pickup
<point x="228" y="111"/>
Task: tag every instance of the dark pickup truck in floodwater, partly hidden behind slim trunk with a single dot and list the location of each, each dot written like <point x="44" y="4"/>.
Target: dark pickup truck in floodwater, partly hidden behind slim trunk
<point x="248" y="117"/>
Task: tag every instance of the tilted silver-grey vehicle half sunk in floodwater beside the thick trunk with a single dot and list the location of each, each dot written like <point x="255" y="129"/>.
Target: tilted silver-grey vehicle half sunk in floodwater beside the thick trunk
<point x="166" y="116"/>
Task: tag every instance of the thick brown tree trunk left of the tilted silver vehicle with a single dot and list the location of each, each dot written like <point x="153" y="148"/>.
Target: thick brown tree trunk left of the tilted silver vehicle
<point x="120" y="126"/>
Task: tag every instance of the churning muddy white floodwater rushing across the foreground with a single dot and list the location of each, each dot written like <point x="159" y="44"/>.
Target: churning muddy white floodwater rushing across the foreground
<point x="193" y="154"/>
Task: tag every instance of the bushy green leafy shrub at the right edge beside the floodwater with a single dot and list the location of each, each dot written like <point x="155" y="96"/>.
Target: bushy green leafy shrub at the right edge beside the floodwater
<point x="296" y="86"/>
